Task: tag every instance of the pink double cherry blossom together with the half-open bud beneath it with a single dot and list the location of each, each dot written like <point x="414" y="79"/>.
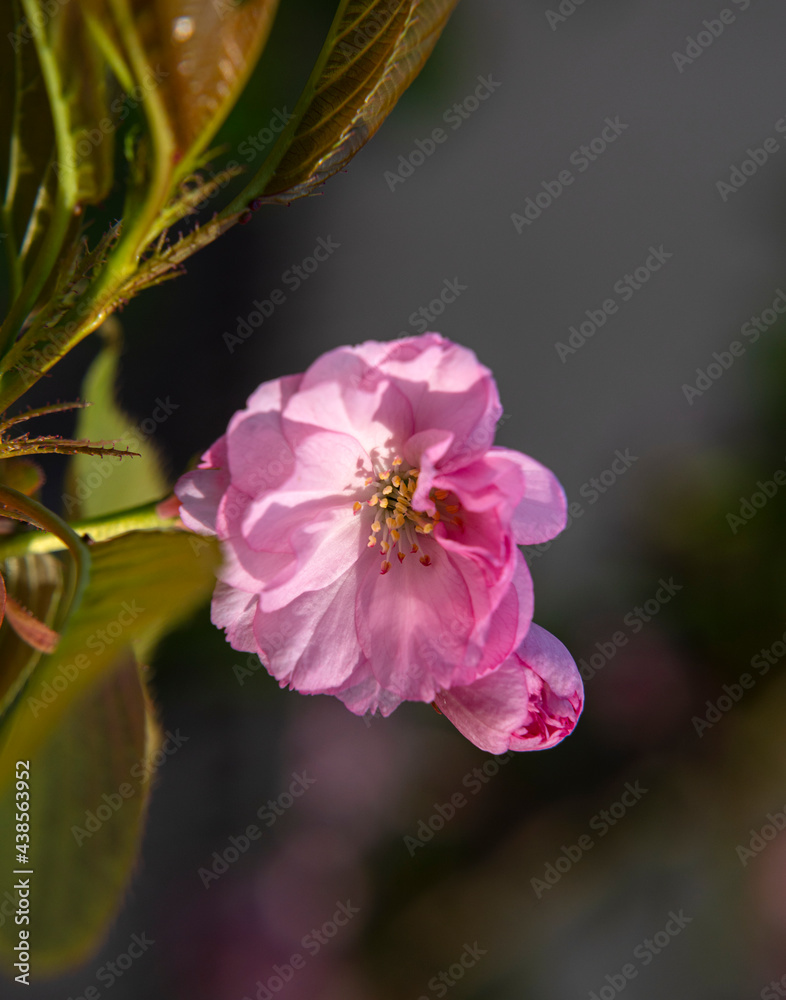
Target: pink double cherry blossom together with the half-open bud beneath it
<point x="371" y="532"/>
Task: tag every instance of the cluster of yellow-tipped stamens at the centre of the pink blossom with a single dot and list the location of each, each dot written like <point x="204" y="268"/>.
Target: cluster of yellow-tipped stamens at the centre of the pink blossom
<point x="397" y="524"/>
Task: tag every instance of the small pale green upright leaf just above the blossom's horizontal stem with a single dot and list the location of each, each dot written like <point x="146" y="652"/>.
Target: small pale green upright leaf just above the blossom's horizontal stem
<point x="98" y="486"/>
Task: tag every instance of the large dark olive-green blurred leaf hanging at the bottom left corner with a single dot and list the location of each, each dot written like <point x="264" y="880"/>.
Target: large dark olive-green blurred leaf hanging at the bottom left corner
<point x="97" y="761"/>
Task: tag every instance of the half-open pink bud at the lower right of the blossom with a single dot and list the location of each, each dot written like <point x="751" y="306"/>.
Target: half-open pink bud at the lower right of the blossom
<point x="531" y="702"/>
